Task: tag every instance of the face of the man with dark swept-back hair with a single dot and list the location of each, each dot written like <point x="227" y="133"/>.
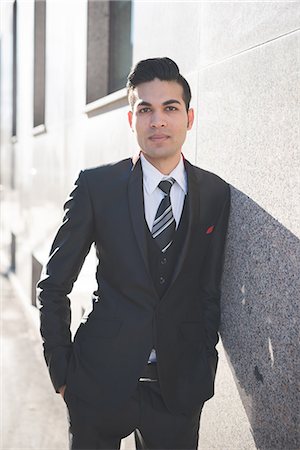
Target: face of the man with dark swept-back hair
<point x="160" y="120"/>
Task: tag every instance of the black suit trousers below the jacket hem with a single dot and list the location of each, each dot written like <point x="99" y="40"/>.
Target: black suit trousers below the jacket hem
<point x="145" y="414"/>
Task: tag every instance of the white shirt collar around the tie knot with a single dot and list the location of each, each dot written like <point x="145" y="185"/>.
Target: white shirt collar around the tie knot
<point x="152" y="177"/>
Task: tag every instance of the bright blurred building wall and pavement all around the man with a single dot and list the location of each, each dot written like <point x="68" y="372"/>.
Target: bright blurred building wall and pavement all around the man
<point x="63" y="108"/>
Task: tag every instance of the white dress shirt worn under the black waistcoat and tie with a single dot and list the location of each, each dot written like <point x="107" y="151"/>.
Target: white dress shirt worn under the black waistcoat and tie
<point x="153" y="196"/>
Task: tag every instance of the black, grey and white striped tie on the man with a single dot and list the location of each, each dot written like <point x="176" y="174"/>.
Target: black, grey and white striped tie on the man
<point x="164" y="223"/>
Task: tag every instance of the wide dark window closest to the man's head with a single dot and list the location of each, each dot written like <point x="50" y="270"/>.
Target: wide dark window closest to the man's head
<point x="109" y="49"/>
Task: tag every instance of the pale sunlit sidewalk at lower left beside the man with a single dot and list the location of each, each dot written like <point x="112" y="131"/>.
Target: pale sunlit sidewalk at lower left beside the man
<point x="32" y="415"/>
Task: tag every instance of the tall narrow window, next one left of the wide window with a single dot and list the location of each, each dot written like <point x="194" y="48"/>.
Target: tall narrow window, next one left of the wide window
<point x="39" y="63"/>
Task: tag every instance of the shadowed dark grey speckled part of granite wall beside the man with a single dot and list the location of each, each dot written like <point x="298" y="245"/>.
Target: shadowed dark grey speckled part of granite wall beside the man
<point x="260" y="322"/>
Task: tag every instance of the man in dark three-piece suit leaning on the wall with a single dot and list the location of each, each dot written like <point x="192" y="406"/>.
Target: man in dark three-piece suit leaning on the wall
<point x="145" y="358"/>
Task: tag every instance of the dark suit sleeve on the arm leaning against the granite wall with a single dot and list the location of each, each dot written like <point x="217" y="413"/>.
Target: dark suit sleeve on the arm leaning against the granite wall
<point x="212" y="274"/>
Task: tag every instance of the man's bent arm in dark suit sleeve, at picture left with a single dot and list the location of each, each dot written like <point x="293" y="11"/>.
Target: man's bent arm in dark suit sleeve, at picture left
<point x="69" y="249"/>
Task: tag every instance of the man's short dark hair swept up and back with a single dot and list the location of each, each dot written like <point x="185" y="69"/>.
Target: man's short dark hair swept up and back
<point x="165" y="69"/>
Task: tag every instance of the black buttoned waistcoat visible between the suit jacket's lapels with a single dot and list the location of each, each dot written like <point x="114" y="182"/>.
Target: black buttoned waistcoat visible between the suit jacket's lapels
<point x="162" y="264"/>
